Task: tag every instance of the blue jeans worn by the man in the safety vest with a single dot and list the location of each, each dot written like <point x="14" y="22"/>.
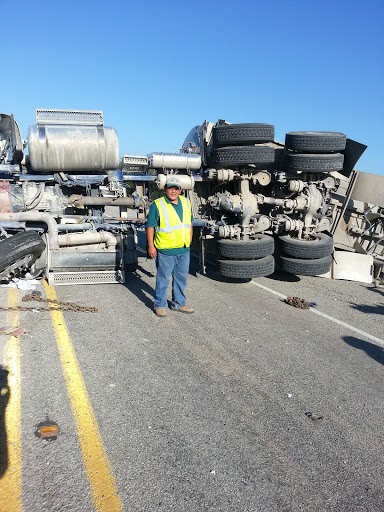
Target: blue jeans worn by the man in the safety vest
<point x="178" y="266"/>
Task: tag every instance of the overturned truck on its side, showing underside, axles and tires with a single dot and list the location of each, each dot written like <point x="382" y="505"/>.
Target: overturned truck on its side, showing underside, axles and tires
<point x="69" y="208"/>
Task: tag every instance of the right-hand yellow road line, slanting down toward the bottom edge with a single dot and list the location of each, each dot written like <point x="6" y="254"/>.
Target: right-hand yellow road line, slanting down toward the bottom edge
<point x="102" y="482"/>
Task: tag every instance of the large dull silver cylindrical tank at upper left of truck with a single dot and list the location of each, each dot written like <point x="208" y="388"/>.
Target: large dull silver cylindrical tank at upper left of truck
<point x="54" y="148"/>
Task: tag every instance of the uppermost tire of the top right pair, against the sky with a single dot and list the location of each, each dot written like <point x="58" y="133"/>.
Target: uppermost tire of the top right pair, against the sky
<point x="315" y="142"/>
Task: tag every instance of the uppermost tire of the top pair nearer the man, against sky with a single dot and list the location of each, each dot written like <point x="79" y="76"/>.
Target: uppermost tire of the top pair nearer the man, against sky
<point x="242" y="134"/>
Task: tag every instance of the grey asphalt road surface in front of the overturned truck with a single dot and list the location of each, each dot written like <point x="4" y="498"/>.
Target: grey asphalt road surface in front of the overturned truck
<point x="249" y="404"/>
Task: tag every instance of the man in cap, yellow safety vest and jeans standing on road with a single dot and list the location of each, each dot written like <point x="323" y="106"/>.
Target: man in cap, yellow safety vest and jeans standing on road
<point x="169" y="236"/>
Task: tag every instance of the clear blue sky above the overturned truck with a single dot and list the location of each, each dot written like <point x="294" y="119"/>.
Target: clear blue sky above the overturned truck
<point x="157" y="68"/>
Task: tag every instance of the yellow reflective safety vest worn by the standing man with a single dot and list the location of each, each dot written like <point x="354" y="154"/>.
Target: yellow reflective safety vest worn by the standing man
<point x="171" y="233"/>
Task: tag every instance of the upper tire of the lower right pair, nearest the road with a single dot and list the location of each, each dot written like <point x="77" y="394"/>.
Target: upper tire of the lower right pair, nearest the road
<point x="307" y="249"/>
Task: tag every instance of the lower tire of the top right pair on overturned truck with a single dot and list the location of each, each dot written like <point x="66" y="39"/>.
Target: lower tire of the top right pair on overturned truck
<point x="314" y="163"/>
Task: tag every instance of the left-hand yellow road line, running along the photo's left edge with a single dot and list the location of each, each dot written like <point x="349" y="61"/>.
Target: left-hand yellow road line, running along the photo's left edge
<point x="10" y="482"/>
